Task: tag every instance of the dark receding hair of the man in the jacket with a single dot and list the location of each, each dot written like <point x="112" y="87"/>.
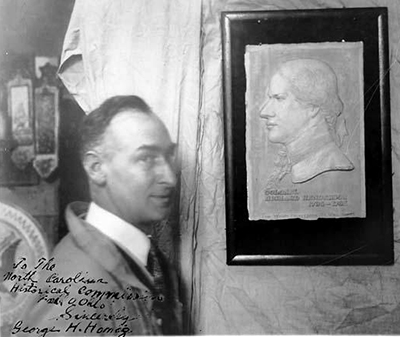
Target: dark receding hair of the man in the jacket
<point x="94" y="125"/>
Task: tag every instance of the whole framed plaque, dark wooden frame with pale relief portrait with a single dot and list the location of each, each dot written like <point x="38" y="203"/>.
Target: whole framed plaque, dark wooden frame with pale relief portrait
<point x="307" y="137"/>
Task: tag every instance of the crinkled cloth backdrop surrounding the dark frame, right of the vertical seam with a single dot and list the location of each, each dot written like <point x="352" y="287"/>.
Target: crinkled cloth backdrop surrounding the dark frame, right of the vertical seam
<point x="280" y="300"/>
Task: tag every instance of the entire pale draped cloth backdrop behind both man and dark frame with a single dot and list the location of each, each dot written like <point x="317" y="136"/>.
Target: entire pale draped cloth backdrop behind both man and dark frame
<point x="169" y="53"/>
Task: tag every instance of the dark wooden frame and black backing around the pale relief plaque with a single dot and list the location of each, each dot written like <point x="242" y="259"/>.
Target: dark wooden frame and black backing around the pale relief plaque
<point x="342" y="241"/>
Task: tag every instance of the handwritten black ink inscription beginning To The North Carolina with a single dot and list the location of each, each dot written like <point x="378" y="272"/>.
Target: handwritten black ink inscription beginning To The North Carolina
<point x="78" y="296"/>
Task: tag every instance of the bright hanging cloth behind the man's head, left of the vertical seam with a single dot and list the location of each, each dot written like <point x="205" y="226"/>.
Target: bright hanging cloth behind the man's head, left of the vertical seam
<point x="149" y="48"/>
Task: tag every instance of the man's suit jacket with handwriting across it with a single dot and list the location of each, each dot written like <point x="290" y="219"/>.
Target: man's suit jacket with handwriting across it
<point x="100" y="290"/>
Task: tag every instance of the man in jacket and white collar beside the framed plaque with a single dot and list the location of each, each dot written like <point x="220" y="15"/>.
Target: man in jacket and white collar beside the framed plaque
<point x="102" y="286"/>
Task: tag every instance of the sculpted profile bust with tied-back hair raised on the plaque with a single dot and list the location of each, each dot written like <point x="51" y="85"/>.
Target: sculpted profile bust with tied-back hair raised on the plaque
<point x="303" y="112"/>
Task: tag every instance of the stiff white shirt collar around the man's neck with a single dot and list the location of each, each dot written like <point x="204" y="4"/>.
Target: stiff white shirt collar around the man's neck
<point x="127" y="236"/>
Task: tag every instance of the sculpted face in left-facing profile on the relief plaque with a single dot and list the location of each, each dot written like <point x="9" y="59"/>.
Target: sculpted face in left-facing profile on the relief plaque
<point x="286" y="117"/>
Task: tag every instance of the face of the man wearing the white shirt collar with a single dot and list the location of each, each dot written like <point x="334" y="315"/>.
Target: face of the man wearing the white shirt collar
<point x="139" y="168"/>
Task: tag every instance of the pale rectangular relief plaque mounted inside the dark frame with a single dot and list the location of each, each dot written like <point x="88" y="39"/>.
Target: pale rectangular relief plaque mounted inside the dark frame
<point x="304" y="131"/>
